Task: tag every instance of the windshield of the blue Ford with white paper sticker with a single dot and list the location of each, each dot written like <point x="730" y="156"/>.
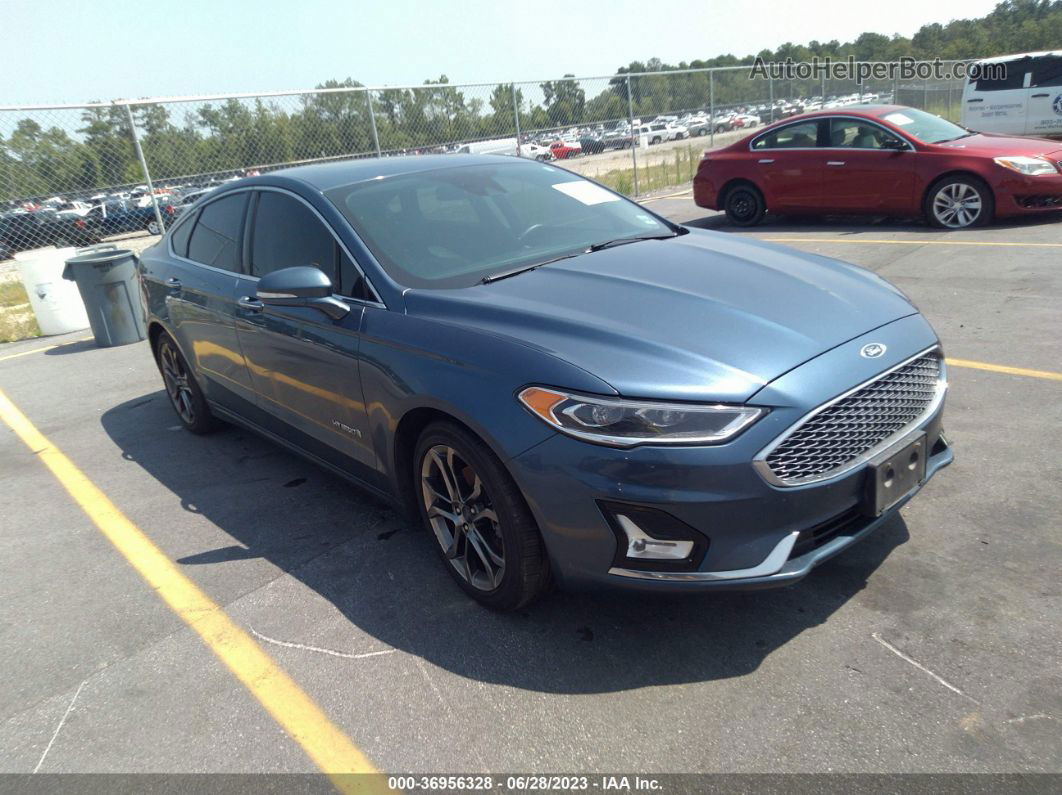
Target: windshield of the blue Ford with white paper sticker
<point x="452" y="228"/>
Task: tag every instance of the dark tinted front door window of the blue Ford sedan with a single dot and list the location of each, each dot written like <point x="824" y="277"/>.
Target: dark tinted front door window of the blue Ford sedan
<point x="288" y="234"/>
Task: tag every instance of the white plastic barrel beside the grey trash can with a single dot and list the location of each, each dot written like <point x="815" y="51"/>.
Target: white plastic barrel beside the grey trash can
<point x="56" y="302"/>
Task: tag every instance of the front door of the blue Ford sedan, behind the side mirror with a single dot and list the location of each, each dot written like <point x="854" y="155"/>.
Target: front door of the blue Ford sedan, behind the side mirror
<point x="303" y="364"/>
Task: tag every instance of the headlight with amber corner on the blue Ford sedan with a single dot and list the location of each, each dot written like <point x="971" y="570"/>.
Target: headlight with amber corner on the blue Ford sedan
<point x="621" y="423"/>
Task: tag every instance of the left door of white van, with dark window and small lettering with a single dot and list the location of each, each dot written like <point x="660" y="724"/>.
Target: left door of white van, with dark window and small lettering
<point x="999" y="103"/>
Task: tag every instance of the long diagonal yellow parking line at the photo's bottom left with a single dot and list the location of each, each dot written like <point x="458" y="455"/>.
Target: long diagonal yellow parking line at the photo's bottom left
<point x="324" y="744"/>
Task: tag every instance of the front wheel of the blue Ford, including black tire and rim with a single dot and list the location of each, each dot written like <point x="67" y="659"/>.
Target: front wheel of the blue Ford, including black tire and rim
<point x="507" y="567"/>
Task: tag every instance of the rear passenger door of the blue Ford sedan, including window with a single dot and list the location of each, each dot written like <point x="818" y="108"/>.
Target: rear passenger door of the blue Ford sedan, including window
<point x="199" y="291"/>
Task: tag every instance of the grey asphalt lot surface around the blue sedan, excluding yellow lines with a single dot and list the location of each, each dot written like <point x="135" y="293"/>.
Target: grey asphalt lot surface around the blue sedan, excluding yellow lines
<point x="935" y="646"/>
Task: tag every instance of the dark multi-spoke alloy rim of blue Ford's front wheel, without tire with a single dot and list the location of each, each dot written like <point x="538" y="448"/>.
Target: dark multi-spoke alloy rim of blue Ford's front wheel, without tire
<point x="463" y="517"/>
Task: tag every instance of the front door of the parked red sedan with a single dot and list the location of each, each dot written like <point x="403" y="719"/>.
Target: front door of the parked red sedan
<point x="865" y="172"/>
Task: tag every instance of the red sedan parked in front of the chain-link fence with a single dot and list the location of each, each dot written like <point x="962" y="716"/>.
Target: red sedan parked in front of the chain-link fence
<point x="883" y="161"/>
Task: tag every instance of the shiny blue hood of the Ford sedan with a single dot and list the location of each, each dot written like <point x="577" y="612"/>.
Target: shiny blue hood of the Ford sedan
<point x="703" y="317"/>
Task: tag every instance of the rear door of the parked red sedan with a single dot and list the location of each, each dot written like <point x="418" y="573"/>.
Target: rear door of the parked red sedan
<point x="790" y="167"/>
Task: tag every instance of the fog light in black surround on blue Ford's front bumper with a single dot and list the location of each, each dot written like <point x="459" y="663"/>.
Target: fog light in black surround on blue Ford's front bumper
<point x="653" y="540"/>
